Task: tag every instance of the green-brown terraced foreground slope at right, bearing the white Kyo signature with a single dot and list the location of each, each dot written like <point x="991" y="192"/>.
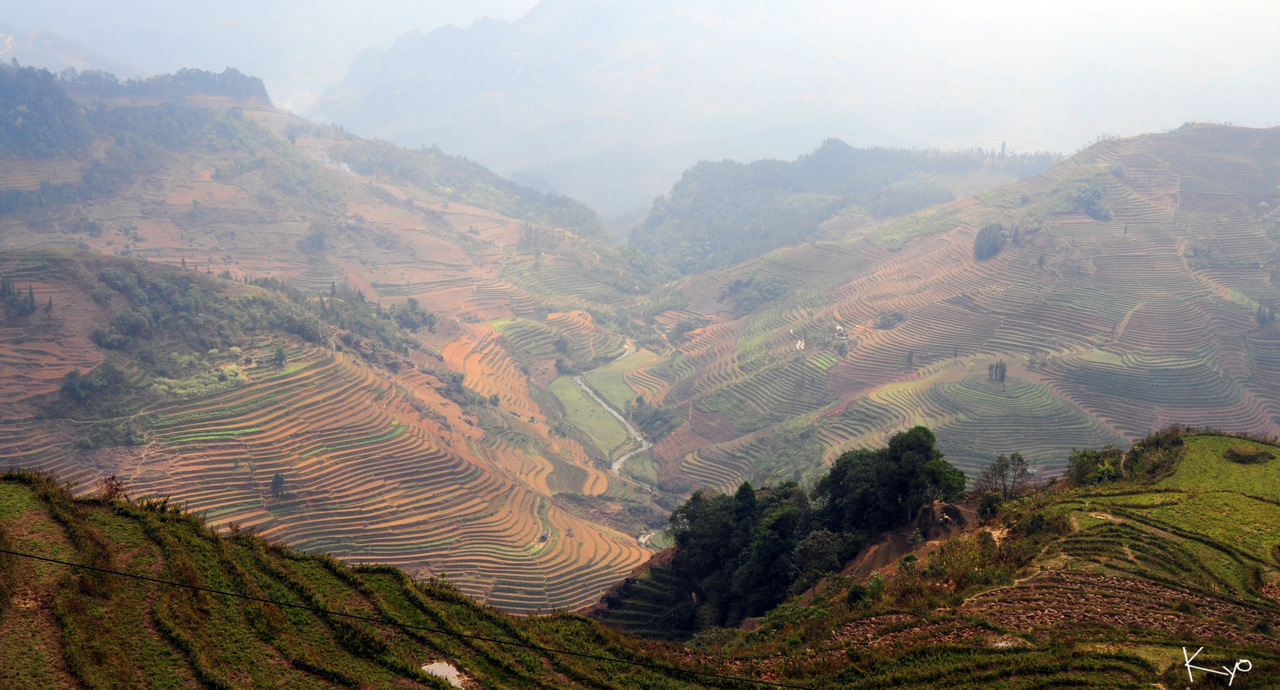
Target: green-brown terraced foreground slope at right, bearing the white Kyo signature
<point x="1095" y="587"/>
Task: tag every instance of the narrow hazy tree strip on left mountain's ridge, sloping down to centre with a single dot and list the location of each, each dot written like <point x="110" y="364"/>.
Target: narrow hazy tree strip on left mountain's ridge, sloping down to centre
<point x="460" y="180"/>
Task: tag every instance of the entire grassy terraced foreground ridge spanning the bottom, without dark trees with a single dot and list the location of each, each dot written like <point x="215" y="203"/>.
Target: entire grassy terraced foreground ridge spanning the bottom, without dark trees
<point x="1094" y="587"/>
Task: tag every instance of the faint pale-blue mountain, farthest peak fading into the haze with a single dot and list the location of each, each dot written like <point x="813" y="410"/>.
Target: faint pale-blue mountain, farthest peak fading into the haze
<point x="609" y="102"/>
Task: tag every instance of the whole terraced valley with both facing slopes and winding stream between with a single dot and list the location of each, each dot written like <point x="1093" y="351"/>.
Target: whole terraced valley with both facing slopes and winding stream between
<point x="570" y="392"/>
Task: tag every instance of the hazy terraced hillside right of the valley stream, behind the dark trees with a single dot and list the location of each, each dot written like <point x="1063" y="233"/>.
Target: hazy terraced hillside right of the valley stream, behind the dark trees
<point x="1132" y="287"/>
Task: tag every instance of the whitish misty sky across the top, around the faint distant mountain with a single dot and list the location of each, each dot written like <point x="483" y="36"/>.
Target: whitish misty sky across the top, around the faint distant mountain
<point x="1041" y="76"/>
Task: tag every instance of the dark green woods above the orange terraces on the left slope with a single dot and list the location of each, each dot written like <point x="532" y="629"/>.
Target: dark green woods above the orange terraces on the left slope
<point x="175" y="312"/>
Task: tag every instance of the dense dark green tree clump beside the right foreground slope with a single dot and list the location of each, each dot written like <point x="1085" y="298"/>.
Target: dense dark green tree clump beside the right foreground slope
<point x="742" y="555"/>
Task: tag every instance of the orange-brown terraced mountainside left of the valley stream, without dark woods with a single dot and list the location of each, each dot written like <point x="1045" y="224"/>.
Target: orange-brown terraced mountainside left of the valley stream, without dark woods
<point x="465" y="451"/>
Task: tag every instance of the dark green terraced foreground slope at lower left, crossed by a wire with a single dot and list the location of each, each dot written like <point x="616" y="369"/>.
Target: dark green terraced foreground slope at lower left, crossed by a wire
<point x="67" y="628"/>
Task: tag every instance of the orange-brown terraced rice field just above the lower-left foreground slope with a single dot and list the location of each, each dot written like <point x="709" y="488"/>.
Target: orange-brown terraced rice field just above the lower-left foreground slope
<point x="367" y="481"/>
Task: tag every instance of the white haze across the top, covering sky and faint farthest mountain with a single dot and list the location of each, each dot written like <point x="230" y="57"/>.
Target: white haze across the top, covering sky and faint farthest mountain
<point x="609" y="102"/>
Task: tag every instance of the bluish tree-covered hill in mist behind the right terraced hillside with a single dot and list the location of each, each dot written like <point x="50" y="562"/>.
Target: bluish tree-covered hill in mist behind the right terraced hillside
<point x="724" y="213"/>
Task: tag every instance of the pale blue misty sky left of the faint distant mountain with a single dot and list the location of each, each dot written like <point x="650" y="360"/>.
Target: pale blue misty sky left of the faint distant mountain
<point x="298" y="47"/>
